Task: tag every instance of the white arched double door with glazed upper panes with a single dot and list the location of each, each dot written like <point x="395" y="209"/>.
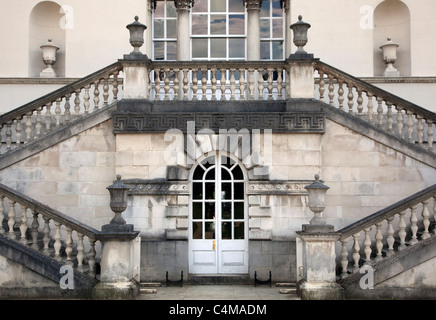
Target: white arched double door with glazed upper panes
<point x="218" y="231"/>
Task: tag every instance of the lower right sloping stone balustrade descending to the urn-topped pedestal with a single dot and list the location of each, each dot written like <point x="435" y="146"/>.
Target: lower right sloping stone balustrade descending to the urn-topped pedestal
<point x="399" y="219"/>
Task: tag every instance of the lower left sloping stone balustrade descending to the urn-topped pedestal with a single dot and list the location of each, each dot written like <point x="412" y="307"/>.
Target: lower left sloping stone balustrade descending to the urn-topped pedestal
<point x="63" y="238"/>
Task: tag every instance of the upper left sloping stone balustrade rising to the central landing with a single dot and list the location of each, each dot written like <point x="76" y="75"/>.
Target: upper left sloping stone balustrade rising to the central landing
<point x="69" y="103"/>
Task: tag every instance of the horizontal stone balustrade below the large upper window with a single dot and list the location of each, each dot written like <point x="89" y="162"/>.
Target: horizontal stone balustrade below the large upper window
<point x="218" y="80"/>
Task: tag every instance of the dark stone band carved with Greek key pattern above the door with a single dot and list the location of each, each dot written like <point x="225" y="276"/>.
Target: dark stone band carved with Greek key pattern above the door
<point x="287" y="122"/>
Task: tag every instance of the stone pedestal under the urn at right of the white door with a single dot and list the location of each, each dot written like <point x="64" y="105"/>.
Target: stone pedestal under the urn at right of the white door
<point x="318" y="258"/>
